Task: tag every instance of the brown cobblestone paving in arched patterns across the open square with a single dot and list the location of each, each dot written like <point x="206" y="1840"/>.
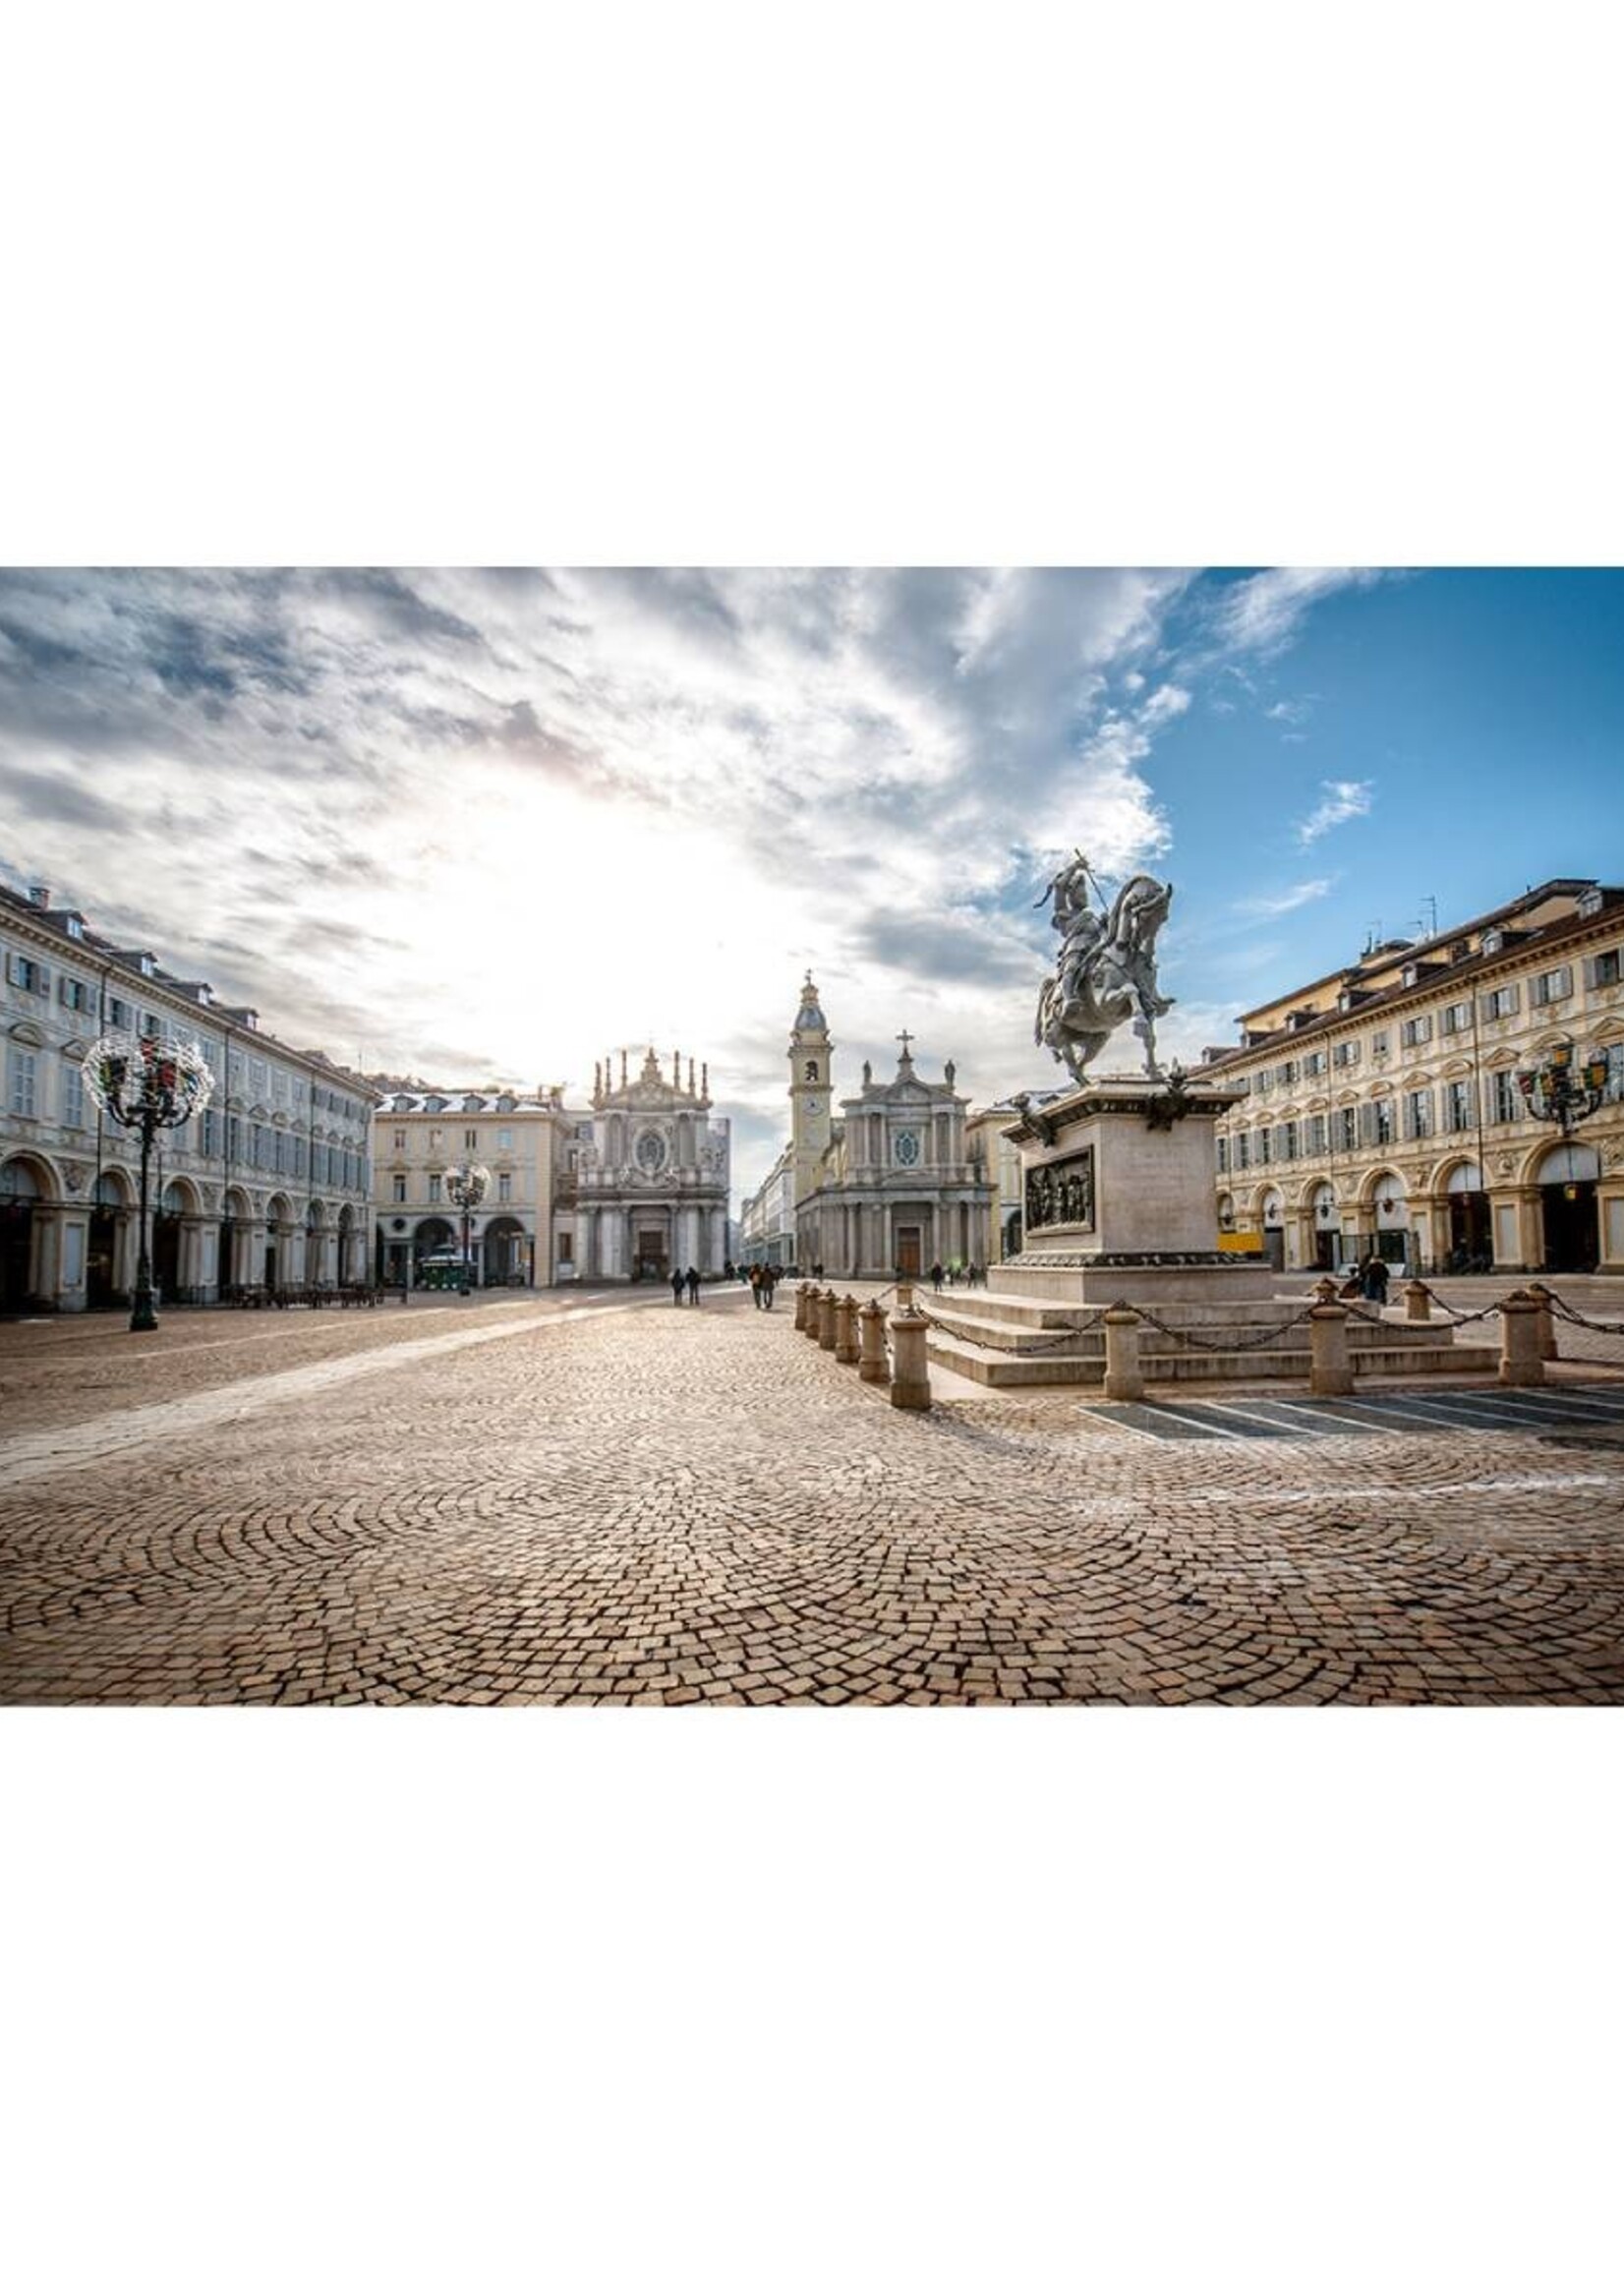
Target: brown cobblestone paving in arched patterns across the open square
<point x="604" y="1507"/>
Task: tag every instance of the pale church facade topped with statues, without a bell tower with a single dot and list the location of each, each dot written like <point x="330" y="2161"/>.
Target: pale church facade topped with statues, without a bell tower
<point x="645" y="1193"/>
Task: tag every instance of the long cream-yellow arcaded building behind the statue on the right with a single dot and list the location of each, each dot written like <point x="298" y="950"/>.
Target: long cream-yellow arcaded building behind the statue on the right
<point x="1386" y="1104"/>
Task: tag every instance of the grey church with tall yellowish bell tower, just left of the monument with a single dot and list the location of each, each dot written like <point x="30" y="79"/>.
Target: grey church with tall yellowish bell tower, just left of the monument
<point x="877" y="1188"/>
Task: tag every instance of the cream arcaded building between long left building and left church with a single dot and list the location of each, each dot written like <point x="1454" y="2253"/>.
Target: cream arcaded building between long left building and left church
<point x="422" y="1136"/>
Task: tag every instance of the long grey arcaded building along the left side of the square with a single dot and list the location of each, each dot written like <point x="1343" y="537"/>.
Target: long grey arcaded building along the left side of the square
<point x="270" y="1186"/>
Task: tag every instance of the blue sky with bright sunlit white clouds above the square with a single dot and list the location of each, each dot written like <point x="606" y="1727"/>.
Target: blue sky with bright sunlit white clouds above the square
<point x="495" y="824"/>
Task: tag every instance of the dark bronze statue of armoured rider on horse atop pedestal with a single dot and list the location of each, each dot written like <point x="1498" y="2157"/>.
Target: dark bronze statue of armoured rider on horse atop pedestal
<point x="1104" y="968"/>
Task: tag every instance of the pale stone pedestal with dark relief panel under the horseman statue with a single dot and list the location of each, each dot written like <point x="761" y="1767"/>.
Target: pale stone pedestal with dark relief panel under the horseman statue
<point x="1120" y="1202"/>
